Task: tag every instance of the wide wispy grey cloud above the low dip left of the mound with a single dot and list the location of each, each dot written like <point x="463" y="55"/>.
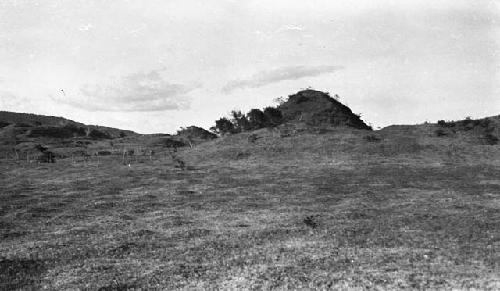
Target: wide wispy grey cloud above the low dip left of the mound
<point x="138" y="92"/>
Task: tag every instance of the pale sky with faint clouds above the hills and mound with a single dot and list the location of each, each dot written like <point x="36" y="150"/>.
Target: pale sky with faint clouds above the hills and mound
<point x="158" y="65"/>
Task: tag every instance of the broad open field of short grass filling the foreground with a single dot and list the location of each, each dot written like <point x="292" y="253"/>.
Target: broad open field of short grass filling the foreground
<point x="311" y="211"/>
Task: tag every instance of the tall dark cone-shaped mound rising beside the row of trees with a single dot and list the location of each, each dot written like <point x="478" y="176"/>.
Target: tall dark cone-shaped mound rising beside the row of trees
<point x="316" y="108"/>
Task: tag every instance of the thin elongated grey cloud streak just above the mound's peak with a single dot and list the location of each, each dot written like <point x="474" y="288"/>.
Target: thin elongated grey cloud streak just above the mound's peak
<point x="281" y="74"/>
